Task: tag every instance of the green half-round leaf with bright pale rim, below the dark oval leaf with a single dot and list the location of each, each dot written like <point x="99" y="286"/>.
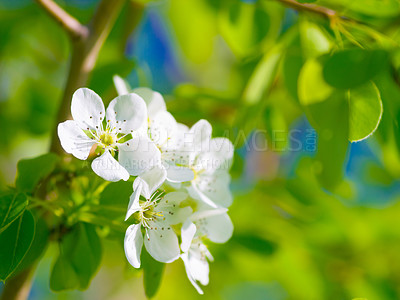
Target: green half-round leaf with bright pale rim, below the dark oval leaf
<point x="365" y="111"/>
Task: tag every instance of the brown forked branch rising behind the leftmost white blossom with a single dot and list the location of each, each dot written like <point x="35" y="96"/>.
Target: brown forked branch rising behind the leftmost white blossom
<point x="87" y="42"/>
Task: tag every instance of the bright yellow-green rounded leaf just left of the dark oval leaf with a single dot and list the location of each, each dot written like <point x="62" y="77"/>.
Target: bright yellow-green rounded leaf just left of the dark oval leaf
<point x="312" y="87"/>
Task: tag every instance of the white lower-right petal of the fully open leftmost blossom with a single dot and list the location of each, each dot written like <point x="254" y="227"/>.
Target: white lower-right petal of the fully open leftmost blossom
<point x="139" y="154"/>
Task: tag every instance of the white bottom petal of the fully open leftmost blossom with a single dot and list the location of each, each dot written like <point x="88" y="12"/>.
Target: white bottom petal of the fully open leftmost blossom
<point x="108" y="168"/>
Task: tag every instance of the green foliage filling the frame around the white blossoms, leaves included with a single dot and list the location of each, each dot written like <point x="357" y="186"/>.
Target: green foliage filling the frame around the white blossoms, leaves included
<point x="309" y="224"/>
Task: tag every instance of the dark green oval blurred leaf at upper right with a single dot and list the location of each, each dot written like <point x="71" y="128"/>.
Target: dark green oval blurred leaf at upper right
<point x="353" y="67"/>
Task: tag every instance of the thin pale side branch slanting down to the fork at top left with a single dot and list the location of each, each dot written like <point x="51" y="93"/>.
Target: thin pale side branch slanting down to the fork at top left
<point x="71" y="25"/>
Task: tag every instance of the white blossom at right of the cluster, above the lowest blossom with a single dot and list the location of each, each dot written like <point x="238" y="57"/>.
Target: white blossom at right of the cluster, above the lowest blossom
<point x="210" y="161"/>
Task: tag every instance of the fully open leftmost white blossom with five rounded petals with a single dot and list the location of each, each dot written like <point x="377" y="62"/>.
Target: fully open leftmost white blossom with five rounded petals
<point x="126" y="117"/>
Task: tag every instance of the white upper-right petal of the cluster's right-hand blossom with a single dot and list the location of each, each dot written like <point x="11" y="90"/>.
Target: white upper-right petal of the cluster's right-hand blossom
<point x="218" y="157"/>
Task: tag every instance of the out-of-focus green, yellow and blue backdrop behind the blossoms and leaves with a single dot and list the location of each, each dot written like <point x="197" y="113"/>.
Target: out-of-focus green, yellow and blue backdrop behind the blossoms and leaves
<point x="294" y="238"/>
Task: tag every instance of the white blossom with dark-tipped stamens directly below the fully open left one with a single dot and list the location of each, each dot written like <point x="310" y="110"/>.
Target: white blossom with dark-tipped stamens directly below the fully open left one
<point x="156" y="213"/>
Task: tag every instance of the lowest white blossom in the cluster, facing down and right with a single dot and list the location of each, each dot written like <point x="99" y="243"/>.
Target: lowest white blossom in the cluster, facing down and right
<point x="214" y="225"/>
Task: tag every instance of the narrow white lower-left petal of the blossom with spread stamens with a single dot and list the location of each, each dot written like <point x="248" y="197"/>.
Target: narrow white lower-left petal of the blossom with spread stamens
<point x="133" y="244"/>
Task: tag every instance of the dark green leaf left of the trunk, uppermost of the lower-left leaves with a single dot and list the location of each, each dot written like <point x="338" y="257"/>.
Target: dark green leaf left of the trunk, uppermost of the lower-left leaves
<point x="31" y="171"/>
